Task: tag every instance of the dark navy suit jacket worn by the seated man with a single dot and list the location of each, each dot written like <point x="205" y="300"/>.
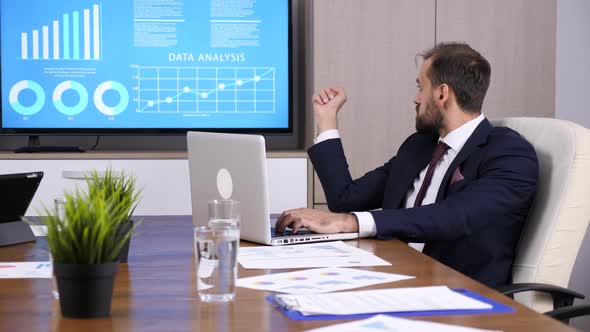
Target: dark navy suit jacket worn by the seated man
<point x="475" y="223"/>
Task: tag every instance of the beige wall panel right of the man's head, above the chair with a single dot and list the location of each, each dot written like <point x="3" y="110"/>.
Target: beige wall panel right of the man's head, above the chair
<point x="518" y="38"/>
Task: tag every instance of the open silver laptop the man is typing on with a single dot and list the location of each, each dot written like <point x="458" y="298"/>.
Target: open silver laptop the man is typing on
<point x="233" y="166"/>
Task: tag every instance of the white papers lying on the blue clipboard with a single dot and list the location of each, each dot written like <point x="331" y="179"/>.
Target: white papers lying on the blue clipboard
<point x="380" y="300"/>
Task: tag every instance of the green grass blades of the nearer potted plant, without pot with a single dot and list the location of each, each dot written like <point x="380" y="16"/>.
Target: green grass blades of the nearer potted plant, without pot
<point x="89" y="230"/>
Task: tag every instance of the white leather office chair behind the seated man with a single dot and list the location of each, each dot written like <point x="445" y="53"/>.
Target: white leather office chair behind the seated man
<point x="559" y="216"/>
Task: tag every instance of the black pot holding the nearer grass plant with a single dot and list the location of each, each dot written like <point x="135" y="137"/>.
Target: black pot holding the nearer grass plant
<point x="85" y="291"/>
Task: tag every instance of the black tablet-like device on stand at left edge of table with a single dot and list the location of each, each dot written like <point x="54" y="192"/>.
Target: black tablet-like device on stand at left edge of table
<point x="17" y="191"/>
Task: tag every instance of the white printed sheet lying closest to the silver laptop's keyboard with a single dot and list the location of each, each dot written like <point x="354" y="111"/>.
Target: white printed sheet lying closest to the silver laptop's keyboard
<point x="325" y="254"/>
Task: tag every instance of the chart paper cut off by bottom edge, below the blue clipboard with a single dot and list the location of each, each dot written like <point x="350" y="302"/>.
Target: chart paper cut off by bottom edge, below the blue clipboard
<point x="393" y="324"/>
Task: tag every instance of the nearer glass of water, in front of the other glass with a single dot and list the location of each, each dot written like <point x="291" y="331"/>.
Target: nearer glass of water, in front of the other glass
<point x="216" y="252"/>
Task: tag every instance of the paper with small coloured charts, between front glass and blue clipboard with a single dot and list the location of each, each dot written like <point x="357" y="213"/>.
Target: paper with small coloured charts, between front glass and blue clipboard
<point x="318" y="280"/>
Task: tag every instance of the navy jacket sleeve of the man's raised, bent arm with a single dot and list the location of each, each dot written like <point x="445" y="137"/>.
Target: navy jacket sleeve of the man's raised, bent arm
<point x="344" y="194"/>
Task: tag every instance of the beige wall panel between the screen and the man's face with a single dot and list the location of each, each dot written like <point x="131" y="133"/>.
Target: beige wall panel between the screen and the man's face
<point x="369" y="48"/>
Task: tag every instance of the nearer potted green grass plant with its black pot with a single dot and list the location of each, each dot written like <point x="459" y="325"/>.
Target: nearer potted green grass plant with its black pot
<point x="85" y="243"/>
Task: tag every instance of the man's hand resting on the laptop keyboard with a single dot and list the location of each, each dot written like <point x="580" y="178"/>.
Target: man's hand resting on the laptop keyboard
<point x="317" y="221"/>
